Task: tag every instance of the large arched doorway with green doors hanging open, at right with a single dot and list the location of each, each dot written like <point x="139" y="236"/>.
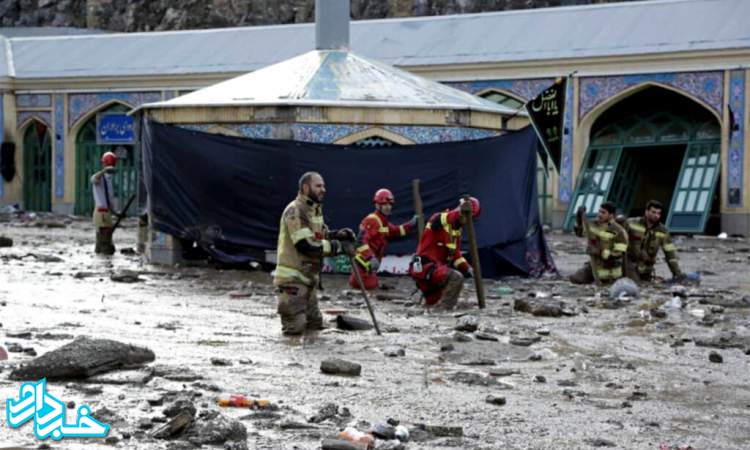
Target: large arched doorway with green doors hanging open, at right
<point x="654" y="144"/>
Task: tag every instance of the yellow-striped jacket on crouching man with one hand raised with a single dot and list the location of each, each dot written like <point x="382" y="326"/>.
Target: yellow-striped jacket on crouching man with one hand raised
<point x="606" y="245"/>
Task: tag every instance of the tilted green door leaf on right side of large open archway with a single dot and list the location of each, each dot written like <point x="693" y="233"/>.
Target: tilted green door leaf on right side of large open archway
<point x="693" y="194"/>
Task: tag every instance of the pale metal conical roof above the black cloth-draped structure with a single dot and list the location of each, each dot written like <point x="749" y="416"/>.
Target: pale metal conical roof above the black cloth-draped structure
<point x="333" y="78"/>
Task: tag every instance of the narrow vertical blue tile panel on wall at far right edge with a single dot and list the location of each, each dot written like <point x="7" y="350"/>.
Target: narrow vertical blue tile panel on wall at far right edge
<point x="736" y="138"/>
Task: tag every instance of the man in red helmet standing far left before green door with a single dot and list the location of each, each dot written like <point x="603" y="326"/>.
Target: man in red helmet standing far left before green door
<point x="104" y="203"/>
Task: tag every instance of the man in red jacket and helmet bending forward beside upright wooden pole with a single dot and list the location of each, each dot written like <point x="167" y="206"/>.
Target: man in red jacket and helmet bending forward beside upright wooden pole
<point x="438" y="266"/>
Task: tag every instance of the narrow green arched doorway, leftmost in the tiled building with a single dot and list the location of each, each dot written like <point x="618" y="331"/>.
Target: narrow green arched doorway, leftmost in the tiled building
<point x="37" y="167"/>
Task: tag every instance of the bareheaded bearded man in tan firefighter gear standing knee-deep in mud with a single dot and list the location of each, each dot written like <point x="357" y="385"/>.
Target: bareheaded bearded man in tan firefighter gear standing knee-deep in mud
<point x="304" y="239"/>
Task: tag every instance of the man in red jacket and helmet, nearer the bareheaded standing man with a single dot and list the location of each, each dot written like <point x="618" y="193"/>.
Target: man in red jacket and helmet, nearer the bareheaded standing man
<point x="374" y="233"/>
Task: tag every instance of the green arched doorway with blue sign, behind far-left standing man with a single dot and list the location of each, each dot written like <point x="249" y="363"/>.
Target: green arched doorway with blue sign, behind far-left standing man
<point x="88" y="154"/>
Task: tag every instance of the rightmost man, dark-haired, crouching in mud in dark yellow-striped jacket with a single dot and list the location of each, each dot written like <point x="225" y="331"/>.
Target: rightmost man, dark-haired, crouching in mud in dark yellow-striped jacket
<point x="646" y="235"/>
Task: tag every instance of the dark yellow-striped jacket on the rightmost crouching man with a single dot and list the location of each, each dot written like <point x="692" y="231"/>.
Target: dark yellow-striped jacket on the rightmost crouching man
<point x="644" y="244"/>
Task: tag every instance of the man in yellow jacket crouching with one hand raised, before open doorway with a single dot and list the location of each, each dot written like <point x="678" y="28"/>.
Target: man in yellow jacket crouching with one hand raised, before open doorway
<point x="606" y="245"/>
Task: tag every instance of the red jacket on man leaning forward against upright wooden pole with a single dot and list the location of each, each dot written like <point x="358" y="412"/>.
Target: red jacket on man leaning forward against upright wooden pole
<point x="441" y="242"/>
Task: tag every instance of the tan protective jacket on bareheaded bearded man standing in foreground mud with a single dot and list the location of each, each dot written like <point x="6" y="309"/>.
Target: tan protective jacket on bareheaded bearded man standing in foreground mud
<point x="302" y="219"/>
